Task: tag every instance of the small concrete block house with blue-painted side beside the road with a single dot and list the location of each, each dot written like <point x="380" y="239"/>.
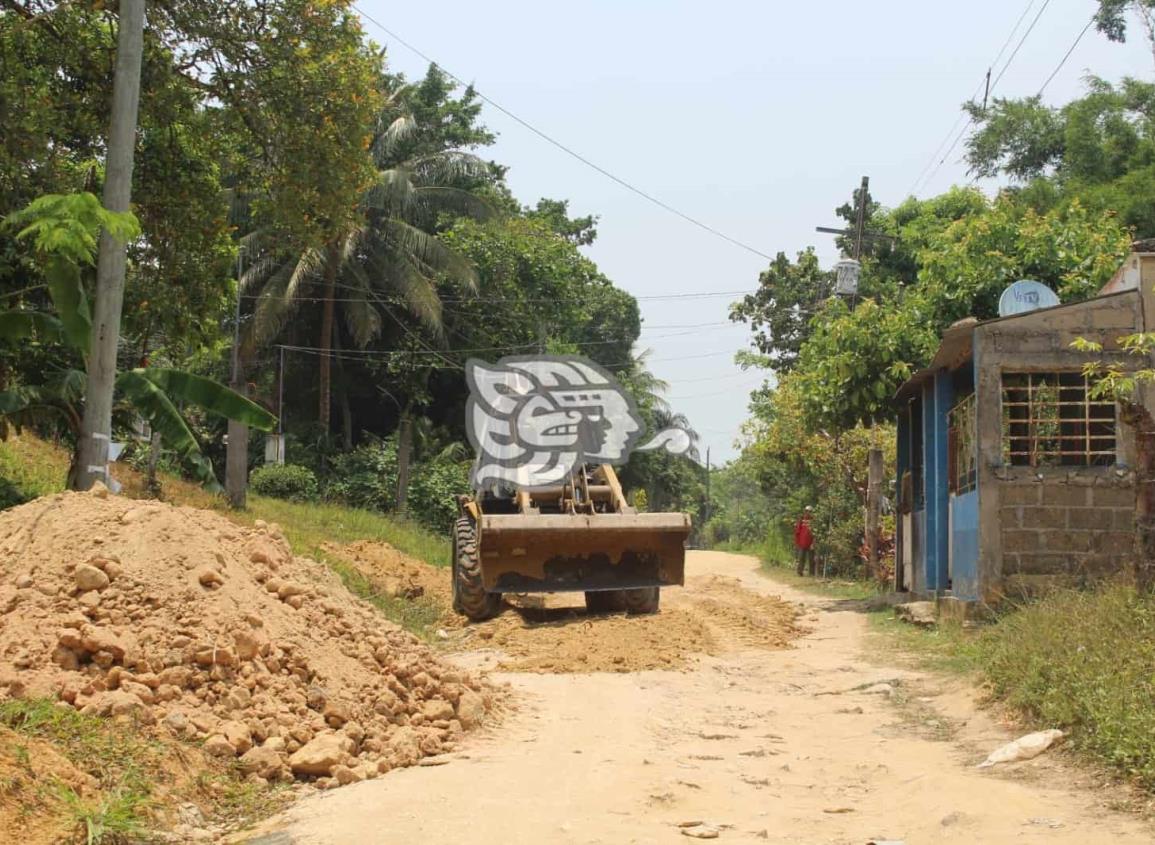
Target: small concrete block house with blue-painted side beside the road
<point x="1011" y="472"/>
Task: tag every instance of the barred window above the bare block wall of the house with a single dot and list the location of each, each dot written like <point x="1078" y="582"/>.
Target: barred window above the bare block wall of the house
<point x="1050" y="420"/>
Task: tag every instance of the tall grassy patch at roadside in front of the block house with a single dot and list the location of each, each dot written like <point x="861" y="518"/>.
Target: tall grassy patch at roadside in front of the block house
<point x="1084" y="662"/>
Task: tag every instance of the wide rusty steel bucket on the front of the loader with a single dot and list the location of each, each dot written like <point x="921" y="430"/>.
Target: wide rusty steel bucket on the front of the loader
<point x="561" y="552"/>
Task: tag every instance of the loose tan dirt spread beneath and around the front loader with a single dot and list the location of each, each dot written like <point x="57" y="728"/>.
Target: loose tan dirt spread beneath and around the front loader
<point x="555" y="634"/>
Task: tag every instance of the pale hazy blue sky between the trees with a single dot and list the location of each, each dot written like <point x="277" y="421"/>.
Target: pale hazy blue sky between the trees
<point x="756" y="118"/>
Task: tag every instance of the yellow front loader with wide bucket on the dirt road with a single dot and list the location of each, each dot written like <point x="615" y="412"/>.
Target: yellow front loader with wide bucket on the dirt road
<point x="579" y="536"/>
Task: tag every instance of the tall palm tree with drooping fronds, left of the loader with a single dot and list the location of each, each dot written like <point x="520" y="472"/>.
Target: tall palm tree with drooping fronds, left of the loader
<point x="389" y="252"/>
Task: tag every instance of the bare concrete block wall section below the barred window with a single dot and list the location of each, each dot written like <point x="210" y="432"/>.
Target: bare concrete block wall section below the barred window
<point x="1079" y="528"/>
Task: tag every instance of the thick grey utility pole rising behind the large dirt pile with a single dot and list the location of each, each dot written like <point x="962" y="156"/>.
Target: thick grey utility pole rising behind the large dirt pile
<point x="110" y="273"/>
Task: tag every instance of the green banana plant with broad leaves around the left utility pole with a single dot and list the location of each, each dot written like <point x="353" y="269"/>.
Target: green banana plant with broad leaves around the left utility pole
<point x="150" y="393"/>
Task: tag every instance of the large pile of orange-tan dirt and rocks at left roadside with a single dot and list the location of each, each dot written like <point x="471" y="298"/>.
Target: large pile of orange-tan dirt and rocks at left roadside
<point x="185" y="622"/>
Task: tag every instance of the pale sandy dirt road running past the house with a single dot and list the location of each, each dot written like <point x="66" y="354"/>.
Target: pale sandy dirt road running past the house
<point x="784" y="746"/>
